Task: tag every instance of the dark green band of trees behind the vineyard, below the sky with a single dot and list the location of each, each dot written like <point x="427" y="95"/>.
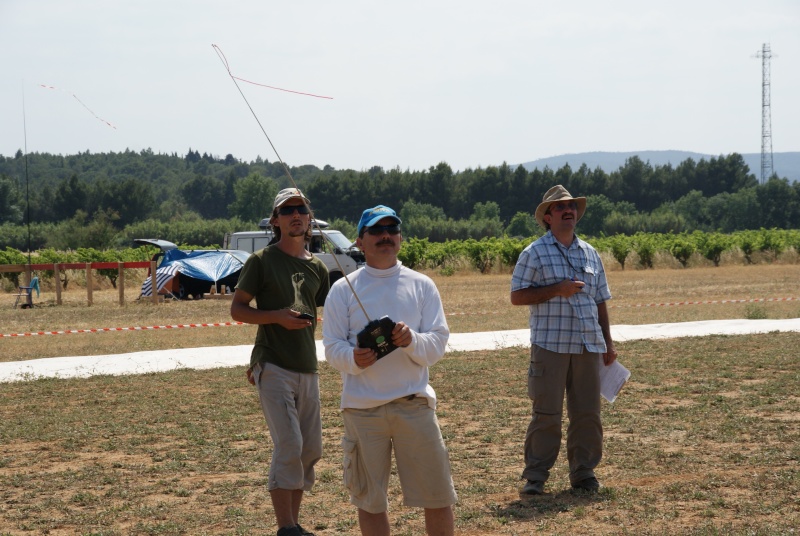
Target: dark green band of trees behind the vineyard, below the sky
<point x="106" y="199"/>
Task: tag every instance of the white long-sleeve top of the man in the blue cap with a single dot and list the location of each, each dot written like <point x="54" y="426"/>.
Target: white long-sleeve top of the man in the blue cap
<point x="403" y="295"/>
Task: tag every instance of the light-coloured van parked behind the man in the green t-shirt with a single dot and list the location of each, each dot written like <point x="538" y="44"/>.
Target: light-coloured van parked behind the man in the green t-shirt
<point x="325" y="244"/>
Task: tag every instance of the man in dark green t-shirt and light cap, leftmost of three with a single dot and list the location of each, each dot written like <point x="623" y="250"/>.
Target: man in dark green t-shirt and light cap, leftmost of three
<point x="288" y="284"/>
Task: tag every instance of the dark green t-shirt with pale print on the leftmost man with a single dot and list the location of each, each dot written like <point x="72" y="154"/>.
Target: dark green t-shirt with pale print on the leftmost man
<point x="280" y="281"/>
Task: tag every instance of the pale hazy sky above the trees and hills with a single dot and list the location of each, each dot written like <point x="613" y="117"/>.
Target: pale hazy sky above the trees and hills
<point x="414" y="83"/>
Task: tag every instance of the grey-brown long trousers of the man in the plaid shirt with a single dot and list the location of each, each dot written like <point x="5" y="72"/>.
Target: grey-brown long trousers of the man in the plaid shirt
<point x="549" y="376"/>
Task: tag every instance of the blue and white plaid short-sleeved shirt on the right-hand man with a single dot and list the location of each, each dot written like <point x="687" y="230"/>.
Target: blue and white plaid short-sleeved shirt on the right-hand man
<point x="564" y="325"/>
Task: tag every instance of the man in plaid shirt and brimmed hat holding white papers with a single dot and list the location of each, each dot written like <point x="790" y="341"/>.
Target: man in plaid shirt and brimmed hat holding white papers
<point x="562" y="280"/>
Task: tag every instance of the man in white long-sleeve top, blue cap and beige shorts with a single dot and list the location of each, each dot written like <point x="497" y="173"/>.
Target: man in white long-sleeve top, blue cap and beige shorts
<point x="387" y="402"/>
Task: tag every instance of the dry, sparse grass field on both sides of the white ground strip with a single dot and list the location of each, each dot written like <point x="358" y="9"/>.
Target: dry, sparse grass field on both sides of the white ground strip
<point x="704" y="440"/>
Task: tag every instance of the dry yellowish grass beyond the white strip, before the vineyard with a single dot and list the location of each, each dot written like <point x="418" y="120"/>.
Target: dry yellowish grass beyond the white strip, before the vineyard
<point x="473" y="302"/>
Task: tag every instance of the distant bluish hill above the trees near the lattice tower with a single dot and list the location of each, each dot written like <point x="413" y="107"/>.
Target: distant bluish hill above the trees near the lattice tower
<point x="784" y="164"/>
